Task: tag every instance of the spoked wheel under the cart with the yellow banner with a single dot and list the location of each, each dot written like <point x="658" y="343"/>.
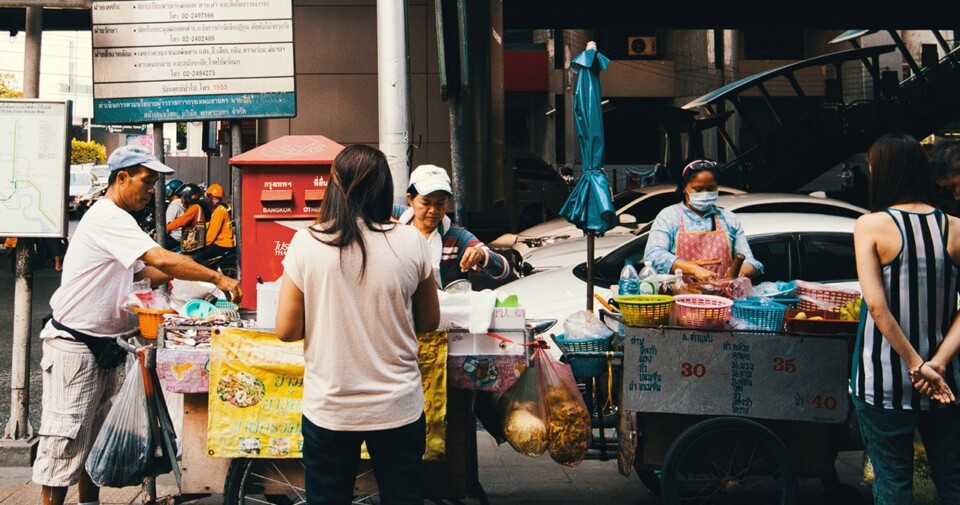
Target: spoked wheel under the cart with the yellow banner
<point x="272" y="481"/>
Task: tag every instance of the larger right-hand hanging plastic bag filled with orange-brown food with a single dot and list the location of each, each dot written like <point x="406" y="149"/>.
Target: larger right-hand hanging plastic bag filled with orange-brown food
<point x="569" y="432"/>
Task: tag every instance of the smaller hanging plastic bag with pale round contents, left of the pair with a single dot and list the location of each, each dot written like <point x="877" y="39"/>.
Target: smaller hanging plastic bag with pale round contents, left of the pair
<point x="524" y="421"/>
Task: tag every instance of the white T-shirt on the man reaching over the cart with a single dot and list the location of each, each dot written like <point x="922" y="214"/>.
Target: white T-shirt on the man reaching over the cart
<point x="98" y="270"/>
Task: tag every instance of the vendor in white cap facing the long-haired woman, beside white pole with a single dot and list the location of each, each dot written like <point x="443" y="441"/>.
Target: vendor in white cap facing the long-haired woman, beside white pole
<point x="455" y="250"/>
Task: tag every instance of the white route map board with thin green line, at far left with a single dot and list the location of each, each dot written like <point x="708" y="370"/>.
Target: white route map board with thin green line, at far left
<point x="33" y="168"/>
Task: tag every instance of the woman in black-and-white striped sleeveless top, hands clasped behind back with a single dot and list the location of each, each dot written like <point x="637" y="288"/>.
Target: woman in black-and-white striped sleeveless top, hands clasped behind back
<point x="905" y="370"/>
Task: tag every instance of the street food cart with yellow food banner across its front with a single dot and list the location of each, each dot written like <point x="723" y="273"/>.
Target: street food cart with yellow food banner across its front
<point x="258" y="460"/>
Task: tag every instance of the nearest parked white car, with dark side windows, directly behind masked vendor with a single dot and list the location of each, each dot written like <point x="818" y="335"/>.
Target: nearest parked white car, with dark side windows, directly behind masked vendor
<point x="791" y="246"/>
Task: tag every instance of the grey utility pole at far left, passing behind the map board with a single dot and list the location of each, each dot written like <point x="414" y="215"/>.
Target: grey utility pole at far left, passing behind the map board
<point x="18" y="438"/>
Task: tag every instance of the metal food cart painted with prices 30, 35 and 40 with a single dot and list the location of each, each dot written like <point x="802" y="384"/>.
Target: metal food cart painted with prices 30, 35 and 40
<point x="711" y="416"/>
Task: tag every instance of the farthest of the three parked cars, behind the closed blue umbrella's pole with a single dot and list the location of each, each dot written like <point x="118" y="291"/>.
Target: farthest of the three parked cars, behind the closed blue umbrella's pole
<point x="635" y="208"/>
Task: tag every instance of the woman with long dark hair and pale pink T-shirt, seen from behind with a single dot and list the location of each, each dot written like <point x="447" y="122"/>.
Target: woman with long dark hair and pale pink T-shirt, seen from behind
<point x="357" y="288"/>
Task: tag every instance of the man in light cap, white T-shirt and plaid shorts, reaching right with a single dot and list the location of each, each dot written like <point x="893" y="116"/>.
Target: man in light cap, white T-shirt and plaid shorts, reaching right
<point x="107" y="254"/>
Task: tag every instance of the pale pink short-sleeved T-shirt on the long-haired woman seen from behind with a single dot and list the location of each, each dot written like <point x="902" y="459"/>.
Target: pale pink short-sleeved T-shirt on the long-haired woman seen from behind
<point x="360" y="345"/>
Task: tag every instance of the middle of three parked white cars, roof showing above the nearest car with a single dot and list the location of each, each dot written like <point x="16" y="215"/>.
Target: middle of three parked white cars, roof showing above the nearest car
<point x="573" y="251"/>
